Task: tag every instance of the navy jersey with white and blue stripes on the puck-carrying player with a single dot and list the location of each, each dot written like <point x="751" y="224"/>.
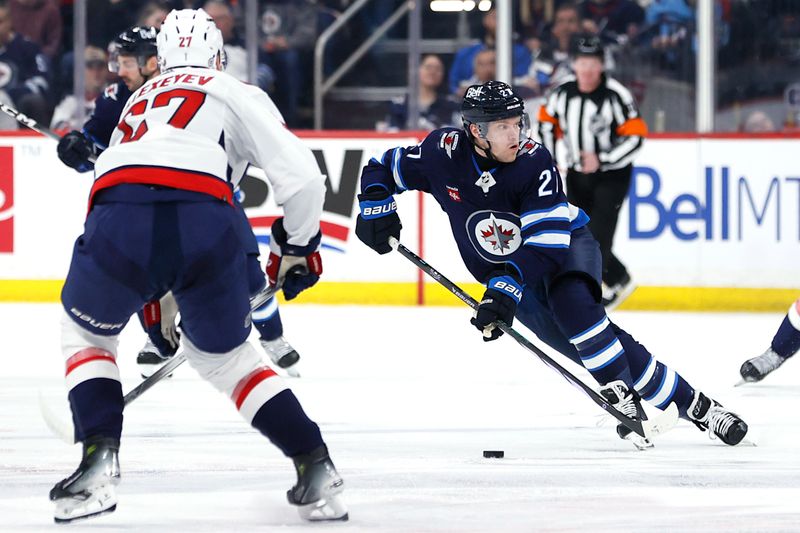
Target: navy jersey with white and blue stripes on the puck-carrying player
<point x="513" y="213"/>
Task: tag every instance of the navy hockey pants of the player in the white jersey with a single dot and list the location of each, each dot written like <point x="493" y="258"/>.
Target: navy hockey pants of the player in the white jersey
<point x="131" y="253"/>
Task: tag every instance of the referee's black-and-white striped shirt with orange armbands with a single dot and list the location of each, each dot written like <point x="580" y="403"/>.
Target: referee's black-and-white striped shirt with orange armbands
<point x="605" y="122"/>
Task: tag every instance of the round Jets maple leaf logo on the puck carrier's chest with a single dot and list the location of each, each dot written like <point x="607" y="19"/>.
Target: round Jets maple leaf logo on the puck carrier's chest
<point x="494" y="235"/>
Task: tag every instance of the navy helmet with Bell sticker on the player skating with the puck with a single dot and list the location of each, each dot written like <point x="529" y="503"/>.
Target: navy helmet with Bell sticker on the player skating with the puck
<point x="493" y="100"/>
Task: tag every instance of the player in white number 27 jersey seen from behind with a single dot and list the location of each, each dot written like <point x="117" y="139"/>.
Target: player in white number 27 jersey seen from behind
<point x="161" y="218"/>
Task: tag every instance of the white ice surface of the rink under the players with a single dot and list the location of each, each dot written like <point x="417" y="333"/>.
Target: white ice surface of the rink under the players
<point x="407" y="399"/>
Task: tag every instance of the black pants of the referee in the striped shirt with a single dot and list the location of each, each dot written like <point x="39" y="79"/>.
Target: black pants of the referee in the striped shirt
<point x="601" y="195"/>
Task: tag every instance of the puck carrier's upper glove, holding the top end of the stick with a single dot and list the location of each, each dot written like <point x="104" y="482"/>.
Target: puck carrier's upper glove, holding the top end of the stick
<point x="378" y="220"/>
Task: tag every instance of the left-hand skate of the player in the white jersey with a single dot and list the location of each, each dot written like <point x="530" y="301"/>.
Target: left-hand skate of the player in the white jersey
<point x="89" y="491"/>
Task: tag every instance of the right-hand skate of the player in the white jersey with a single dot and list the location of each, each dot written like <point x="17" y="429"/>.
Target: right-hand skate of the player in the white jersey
<point x="318" y="490"/>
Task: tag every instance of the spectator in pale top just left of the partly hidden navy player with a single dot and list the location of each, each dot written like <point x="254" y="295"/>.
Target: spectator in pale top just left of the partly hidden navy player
<point x="67" y="114"/>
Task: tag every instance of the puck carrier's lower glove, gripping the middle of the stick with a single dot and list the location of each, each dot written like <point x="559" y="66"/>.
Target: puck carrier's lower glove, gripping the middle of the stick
<point x="499" y="302"/>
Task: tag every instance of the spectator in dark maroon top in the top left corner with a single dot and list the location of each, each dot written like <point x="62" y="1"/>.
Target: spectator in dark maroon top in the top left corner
<point x="40" y="22"/>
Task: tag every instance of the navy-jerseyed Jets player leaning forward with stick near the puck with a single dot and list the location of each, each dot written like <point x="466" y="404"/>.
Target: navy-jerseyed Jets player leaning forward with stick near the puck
<point x="519" y="236"/>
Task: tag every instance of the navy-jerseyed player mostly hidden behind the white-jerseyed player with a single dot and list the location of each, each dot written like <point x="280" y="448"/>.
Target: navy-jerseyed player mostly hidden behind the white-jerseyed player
<point x="133" y="59"/>
